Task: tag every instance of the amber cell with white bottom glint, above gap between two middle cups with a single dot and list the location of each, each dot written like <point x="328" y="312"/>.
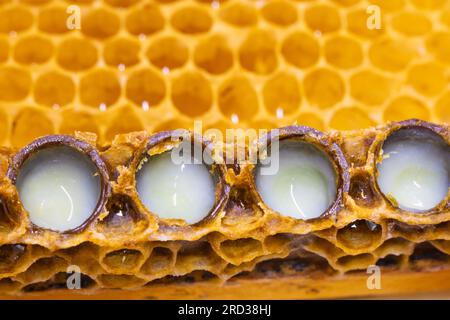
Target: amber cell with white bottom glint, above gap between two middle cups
<point x="237" y="99"/>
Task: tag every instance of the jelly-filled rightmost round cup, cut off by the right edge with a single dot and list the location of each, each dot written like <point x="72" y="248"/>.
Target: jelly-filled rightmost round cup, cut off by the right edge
<point x="414" y="169"/>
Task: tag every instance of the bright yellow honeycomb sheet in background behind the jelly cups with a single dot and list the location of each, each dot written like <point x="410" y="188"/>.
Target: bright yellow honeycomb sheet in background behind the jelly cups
<point x="155" y="65"/>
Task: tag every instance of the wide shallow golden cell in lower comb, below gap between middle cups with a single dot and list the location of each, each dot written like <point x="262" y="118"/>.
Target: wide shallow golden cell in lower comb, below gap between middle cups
<point x="241" y="250"/>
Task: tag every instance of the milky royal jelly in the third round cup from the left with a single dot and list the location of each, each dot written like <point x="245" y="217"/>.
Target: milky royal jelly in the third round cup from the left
<point x="304" y="186"/>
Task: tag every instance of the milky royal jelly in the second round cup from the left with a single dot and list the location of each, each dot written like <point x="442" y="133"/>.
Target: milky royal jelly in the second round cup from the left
<point x="176" y="191"/>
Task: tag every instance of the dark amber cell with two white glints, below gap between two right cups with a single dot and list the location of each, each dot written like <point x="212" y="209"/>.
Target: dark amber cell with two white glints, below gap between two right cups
<point x="359" y="234"/>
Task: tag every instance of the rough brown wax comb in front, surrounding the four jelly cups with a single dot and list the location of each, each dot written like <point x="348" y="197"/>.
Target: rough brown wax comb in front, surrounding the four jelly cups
<point x="126" y="246"/>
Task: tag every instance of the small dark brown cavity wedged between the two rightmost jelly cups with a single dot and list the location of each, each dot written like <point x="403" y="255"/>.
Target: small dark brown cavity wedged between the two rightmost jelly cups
<point x="362" y="191"/>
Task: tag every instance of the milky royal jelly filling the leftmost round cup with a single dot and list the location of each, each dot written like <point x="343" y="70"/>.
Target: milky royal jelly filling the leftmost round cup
<point x="59" y="187"/>
